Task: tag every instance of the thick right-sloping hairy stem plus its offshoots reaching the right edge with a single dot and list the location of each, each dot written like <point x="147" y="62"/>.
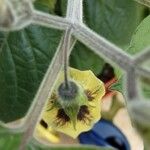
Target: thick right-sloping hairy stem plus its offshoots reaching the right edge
<point x="108" y="51"/>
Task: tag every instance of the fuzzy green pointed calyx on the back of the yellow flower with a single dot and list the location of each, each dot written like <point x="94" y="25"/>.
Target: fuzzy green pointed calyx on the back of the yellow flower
<point x="73" y="101"/>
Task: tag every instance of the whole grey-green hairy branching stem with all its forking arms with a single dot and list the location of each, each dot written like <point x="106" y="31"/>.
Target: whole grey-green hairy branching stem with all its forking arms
<point x="73" y="25"/>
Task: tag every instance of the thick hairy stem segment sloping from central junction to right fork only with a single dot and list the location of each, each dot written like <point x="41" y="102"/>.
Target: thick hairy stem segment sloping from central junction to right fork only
<point x="102" y="47"/>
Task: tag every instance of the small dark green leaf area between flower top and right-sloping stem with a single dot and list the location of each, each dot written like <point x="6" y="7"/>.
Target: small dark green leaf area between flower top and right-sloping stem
<point x="84" y="59"/>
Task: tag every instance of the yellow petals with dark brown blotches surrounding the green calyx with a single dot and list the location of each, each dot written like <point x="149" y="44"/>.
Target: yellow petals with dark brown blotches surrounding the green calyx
<point x="94" y="89"/>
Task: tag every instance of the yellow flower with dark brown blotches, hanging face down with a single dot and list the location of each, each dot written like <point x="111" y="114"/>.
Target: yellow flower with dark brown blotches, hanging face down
<point x="80" y="117"/>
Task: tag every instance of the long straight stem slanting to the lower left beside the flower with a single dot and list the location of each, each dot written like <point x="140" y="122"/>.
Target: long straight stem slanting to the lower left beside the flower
<point x="43" y="94"/>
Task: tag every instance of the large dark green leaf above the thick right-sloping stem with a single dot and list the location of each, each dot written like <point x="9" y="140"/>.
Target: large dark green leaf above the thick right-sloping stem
<point x="114" y="19"/>
